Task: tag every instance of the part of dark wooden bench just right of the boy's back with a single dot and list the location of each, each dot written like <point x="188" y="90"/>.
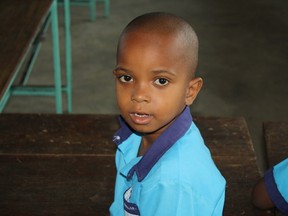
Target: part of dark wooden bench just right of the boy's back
<point x="231" y="147"/>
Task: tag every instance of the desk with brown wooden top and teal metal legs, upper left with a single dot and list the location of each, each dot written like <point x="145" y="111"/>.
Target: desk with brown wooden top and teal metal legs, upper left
<point x="20" y="22"/>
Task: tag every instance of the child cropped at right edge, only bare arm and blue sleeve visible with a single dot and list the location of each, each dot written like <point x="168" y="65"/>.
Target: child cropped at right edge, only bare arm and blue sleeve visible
<point x="272" y="190"/>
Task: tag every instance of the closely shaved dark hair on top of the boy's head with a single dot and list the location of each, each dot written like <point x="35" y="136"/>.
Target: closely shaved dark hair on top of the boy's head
<point x="168" y="25"/>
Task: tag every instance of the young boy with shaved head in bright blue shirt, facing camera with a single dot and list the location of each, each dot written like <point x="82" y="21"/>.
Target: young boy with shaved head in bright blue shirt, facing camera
<point x="163" y="165"/>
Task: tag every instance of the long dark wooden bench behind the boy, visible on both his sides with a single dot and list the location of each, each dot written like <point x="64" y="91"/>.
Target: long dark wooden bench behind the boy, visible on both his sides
<point x="64" y="164"/>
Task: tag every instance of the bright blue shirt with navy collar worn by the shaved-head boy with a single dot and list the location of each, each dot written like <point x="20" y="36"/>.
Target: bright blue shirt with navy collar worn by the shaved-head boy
<point x="176" y="176"/>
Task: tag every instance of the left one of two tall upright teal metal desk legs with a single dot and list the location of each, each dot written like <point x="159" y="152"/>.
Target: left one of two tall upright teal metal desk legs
<point x="56" y="57"/>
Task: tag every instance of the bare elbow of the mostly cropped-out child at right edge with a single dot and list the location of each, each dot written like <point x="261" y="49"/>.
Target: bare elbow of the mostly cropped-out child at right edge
<point x="260" y="196"/>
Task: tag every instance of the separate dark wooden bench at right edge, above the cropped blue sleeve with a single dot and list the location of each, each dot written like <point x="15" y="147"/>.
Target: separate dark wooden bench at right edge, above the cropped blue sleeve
<point x="276" y="140"/>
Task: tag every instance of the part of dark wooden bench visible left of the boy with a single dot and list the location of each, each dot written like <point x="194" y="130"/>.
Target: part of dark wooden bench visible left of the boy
<point x="56" y="164"/>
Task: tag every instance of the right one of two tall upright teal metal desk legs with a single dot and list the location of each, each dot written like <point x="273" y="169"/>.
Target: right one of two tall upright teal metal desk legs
<point x="68" y="55"/>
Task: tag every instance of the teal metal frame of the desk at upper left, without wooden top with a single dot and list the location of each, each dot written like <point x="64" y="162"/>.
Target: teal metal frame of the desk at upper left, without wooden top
<point x="57" y="89"/>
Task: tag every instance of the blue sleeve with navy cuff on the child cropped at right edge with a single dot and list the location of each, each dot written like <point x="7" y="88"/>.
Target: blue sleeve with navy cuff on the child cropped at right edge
<point x="276" y="182"/>
